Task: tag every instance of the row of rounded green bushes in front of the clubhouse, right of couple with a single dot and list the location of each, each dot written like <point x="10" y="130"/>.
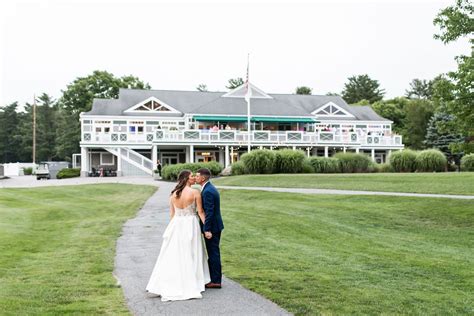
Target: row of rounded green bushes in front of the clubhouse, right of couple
<point x="295" y="161"/>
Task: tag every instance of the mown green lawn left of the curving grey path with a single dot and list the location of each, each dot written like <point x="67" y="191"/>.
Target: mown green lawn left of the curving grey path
<point x="57" y="247"/>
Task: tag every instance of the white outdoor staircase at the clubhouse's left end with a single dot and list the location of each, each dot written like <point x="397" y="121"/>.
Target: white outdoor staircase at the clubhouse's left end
<point x="132" y="162"/>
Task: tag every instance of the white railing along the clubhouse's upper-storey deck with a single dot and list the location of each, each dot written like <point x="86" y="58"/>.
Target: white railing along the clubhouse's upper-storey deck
<point x="241" y="138"/>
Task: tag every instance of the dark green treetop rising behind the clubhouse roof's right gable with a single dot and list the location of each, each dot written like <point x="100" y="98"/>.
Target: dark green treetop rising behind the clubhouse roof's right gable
<point x="362" y="87"/>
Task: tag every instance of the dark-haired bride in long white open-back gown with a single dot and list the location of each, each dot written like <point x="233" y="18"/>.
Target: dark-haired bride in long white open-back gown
<point x="181" y="270"/>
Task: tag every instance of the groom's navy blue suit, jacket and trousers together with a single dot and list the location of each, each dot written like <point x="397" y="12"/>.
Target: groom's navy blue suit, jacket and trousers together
<point x="213" y="224"/>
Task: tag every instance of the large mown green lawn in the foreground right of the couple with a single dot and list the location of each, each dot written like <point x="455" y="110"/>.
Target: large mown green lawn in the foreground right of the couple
<point x="323" y="254"/>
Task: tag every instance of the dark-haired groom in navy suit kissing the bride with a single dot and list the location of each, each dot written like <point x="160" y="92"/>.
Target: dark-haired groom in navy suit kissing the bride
<point x="212" y="227"/>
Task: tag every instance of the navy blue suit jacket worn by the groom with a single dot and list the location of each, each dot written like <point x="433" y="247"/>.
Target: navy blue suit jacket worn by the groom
<point x="212" y="208"/>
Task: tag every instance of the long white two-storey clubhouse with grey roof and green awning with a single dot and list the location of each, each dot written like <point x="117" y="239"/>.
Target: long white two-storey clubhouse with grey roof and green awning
<point x="130" y="134"/>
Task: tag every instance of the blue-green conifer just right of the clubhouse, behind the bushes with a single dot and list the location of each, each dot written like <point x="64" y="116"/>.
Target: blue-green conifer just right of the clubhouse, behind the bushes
<point x="437" y="135"/>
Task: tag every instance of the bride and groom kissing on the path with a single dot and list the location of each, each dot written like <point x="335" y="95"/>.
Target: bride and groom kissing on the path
<point x="184" y="269"/>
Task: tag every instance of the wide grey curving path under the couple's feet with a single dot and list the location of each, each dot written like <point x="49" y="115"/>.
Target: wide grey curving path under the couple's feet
<point x="137" y="250"/>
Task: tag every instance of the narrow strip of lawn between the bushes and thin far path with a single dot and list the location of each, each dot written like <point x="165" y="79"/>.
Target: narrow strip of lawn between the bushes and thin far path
<point x="441" y="183"/>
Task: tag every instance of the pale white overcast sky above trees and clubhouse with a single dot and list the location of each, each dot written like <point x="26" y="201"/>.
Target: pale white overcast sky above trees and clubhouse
<point x="177" y="45"/>
